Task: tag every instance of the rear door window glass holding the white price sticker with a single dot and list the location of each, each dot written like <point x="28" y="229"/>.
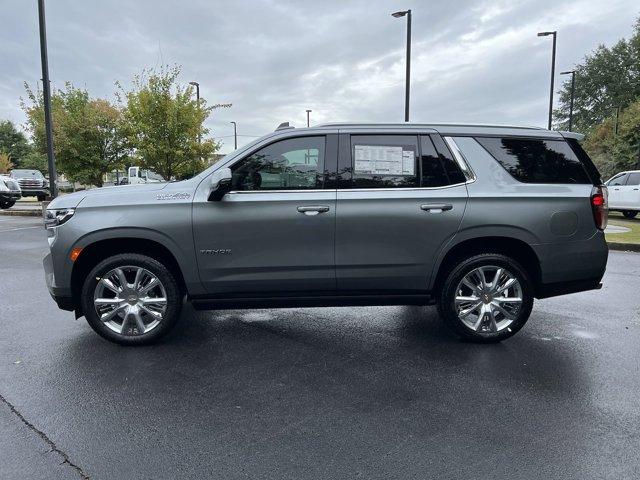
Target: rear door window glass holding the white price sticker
<point x="385" y="161"/>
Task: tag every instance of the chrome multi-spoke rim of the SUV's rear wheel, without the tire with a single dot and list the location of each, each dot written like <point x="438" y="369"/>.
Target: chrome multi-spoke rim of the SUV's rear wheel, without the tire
<point x="488" y="299"/>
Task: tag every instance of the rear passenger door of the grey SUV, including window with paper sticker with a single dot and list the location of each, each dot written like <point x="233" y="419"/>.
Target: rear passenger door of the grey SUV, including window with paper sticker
<point x="400" y="199"/>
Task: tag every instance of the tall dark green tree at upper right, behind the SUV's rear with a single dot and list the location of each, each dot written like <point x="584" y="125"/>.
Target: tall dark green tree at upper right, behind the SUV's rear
<point x="607" y="78"/>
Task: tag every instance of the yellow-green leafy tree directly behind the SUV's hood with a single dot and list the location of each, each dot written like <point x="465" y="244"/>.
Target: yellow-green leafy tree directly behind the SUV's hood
<point x="164" y="124"/>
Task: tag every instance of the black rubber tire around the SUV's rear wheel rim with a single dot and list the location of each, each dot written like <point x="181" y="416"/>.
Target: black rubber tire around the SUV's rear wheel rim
<point x="447" y="294"/>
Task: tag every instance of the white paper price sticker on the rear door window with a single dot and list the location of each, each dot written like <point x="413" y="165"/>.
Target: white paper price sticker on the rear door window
<point x="384" y="160"/>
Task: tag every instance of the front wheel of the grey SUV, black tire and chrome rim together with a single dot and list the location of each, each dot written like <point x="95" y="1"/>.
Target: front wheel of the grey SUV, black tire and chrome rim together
<point x="131" y="299"/>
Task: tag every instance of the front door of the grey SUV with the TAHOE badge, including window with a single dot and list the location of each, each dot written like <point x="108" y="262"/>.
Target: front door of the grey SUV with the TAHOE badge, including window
<point x="273" y="233"/>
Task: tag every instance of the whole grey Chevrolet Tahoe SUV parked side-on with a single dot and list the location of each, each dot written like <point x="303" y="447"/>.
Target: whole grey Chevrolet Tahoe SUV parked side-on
<point x="478" y="220"/>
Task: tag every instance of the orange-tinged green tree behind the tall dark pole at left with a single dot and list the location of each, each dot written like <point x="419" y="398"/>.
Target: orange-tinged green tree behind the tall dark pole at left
<point x="89" y="134"/>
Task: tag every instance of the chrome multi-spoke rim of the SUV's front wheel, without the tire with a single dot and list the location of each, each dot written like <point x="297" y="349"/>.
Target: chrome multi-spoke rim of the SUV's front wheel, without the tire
<point x="130" y="300"/>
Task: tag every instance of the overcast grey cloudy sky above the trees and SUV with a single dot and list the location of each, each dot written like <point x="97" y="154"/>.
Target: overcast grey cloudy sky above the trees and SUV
<point x="473" y="61"/>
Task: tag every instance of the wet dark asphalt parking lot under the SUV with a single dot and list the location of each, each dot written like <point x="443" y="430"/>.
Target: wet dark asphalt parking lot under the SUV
<point x="380" y="392"/>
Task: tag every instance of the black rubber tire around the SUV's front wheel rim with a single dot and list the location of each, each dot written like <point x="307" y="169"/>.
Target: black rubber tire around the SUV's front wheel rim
<point x="171" y="313"/>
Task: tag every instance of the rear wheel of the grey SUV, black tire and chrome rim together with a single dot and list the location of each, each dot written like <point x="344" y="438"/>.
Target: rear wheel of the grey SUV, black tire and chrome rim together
<point x="486" y="298"/>
